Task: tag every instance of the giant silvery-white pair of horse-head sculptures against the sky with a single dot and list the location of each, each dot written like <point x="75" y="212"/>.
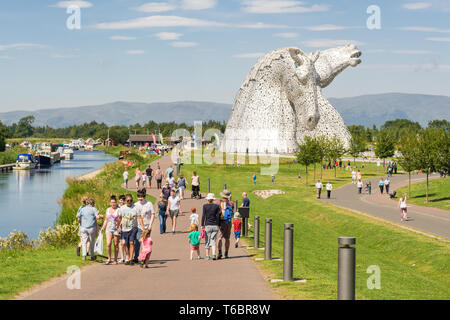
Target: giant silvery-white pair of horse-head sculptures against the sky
<point x="280" y="102"/>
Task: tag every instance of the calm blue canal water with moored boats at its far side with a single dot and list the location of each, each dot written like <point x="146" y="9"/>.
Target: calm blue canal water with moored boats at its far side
<point x="29" y="198"/>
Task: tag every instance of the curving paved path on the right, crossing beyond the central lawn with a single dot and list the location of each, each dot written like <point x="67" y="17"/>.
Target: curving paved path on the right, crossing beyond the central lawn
<point x="431" y="220"/>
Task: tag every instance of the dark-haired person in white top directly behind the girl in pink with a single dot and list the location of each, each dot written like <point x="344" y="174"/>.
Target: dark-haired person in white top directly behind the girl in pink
<point x="145" y="217"/>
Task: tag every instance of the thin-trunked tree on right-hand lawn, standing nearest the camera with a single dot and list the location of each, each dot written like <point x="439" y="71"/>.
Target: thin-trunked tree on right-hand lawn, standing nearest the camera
<point x="427" y="157"/>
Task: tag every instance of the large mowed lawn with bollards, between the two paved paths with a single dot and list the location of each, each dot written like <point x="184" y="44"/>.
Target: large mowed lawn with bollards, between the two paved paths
<point x="412" y="266"/>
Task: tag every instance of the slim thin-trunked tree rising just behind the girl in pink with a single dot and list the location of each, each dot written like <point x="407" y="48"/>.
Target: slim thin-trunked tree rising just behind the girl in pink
<point x="408" y="153"/>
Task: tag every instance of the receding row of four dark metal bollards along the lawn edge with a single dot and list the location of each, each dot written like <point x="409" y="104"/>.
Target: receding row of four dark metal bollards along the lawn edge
<point x="346" y="257"/>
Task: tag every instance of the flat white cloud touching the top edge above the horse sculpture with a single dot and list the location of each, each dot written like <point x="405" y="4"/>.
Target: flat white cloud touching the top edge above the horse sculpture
<point x="280" y="6"/>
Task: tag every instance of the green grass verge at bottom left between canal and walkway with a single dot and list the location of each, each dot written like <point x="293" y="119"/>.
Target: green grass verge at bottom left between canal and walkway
<point x="22" y="269"/>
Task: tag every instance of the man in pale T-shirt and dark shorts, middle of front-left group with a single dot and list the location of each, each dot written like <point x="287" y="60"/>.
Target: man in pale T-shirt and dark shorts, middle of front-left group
<point x="127" y="222"/>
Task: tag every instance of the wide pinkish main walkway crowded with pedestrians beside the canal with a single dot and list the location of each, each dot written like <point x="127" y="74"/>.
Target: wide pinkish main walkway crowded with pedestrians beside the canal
<point x="172" y="275"/>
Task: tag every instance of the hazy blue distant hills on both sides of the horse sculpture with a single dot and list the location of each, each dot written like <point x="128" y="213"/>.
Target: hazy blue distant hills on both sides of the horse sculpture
<point x="363" y="110"/>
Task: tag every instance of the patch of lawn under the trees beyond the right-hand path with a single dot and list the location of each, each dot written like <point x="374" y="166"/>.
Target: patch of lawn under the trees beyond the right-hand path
<point x="438" y="193"/>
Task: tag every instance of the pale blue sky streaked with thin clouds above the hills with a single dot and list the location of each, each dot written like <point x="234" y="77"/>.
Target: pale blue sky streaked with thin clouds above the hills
<point x="202" y="50"/>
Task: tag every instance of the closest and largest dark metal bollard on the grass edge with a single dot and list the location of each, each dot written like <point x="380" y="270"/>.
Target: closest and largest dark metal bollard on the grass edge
<point x="346" y="268"/>
